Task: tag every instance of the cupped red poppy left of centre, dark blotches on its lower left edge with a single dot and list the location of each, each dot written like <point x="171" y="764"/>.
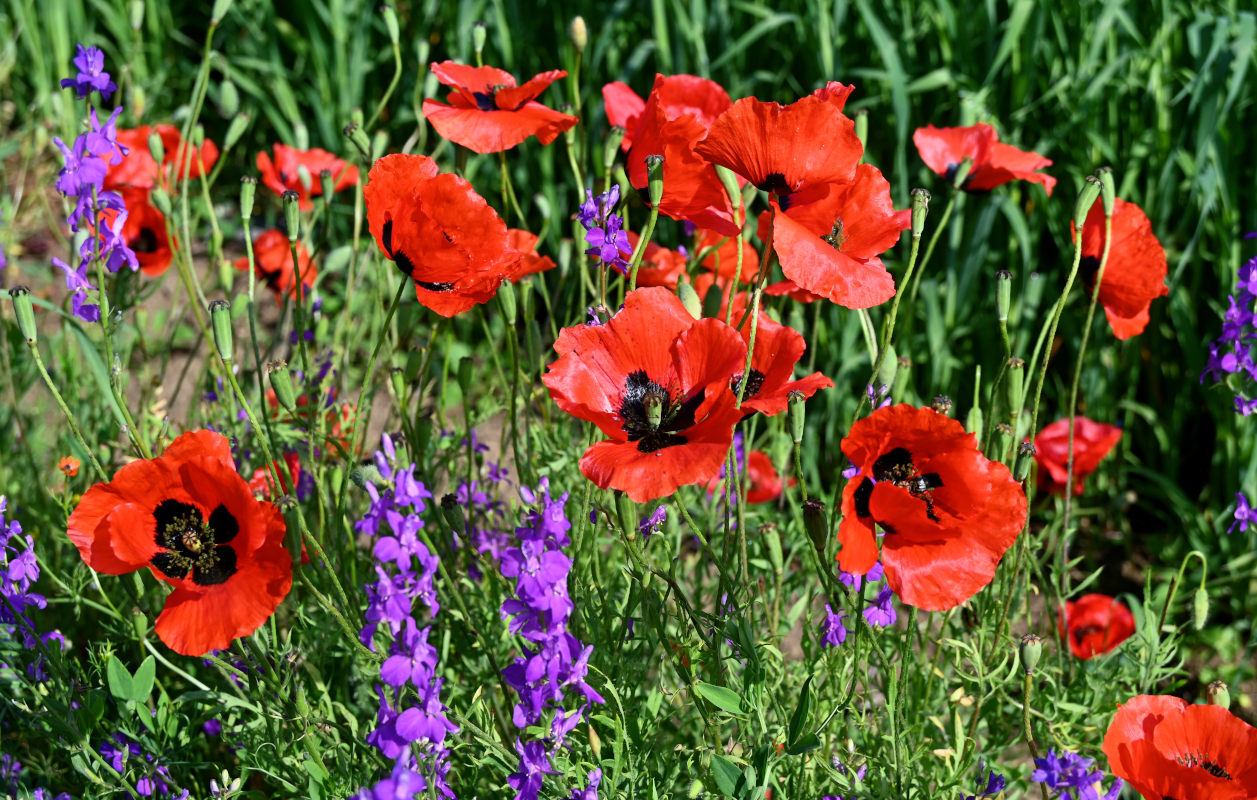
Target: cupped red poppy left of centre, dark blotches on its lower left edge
<point x="439" y="232"/>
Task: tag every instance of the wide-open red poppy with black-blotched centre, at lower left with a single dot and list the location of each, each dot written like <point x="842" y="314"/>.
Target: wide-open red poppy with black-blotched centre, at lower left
<point x="193" y="521"/>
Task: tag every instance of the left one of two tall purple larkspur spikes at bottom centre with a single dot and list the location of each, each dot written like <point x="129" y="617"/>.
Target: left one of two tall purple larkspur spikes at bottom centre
<point x="405" y="575"/>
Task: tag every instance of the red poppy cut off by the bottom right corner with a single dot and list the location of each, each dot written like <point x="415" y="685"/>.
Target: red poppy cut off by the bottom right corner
<point x="1168" y="750"/>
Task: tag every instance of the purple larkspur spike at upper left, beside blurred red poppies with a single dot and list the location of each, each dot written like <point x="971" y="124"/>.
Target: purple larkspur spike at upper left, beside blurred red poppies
<point x="100" y="213"/>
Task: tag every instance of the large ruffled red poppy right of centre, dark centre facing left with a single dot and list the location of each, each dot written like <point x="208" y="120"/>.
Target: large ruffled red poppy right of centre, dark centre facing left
<point x="948" y="513"/>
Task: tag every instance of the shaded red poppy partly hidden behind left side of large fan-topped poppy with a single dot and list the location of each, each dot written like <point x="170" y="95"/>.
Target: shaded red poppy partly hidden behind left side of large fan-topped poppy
<point x="671" y="126"/>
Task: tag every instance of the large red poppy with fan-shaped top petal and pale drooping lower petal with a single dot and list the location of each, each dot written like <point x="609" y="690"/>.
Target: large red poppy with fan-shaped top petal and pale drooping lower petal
<point x="832" y="217"/>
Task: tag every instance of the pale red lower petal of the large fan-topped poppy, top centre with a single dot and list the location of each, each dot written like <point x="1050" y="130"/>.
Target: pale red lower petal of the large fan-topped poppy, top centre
<point x="816" y="266"/>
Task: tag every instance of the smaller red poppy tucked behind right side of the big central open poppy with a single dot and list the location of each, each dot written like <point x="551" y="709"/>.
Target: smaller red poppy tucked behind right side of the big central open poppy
<point x="779" y="348"/>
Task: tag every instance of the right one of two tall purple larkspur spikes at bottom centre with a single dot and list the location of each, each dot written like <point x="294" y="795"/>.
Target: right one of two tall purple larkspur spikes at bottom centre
<point x="555" y="661"/>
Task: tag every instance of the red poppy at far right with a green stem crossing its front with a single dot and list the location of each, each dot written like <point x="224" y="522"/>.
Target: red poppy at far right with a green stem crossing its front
<point x="1136" y="275"/>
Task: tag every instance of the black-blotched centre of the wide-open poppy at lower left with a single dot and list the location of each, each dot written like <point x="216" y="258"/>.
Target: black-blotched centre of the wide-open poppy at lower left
<point x="194" y="544"/>
